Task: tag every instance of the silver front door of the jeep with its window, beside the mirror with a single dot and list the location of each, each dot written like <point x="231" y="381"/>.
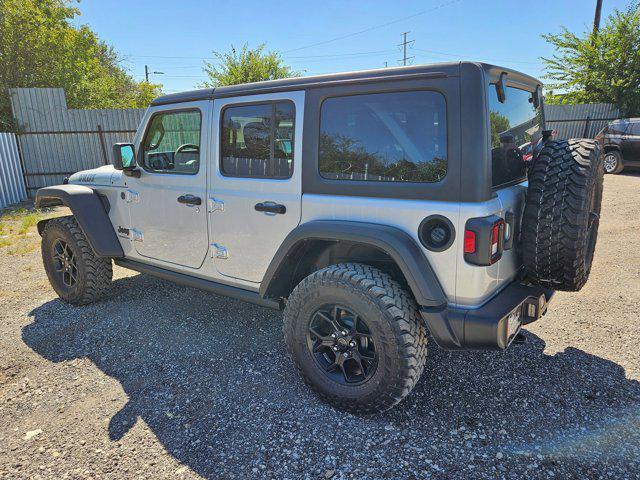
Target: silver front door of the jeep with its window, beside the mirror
<point x="168" y="201"/>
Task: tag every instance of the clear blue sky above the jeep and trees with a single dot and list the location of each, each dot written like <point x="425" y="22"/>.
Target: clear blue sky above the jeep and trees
<point x="331" y="36"/>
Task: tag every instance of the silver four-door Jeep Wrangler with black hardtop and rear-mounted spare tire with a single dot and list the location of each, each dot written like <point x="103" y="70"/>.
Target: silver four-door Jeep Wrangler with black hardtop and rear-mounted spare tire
<point x="373" y="207"/>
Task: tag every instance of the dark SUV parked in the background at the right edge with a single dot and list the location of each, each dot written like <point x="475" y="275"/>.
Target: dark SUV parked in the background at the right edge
<point x="621" y="144"/>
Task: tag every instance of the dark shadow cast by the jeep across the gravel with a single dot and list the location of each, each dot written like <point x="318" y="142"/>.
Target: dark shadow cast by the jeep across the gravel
<point x="210" y="376"/>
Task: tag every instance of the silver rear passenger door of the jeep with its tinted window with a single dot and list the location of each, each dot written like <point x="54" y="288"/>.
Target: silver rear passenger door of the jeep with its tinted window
<point x="255" y="194"/>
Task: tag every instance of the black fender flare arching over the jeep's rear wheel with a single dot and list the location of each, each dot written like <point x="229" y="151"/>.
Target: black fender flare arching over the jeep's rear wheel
<point x="321" y="243"/>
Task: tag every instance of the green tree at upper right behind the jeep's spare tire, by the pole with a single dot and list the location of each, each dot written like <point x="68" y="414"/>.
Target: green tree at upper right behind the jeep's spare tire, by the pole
<point x="602" y="67"/>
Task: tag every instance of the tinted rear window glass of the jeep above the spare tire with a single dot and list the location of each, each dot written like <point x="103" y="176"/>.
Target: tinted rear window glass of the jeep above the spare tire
<point x="516" y="126"/>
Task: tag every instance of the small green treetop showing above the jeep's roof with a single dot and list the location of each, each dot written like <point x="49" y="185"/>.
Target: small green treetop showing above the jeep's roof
<point x="245" y="66"/>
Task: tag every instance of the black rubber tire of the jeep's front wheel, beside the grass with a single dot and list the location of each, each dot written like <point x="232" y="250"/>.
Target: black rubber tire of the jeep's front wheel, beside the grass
<point x="92" y="273"/>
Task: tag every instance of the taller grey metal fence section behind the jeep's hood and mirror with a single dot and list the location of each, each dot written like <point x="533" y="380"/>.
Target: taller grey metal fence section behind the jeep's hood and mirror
<point x="56" y="141"/>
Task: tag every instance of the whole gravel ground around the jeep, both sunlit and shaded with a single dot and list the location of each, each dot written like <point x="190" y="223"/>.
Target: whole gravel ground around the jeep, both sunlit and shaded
<point x="163" y="381"/>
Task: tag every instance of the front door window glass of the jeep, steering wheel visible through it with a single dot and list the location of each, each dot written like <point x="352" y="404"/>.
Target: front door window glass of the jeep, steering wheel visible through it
<point x="172" y="143"/>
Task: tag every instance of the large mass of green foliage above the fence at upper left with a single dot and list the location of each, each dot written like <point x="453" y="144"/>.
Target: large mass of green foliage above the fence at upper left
<point x="39" y="47"/>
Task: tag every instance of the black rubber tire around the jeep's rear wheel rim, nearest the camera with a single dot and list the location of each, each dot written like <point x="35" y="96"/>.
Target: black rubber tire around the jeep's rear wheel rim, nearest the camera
<point x="391" y="314"/>
